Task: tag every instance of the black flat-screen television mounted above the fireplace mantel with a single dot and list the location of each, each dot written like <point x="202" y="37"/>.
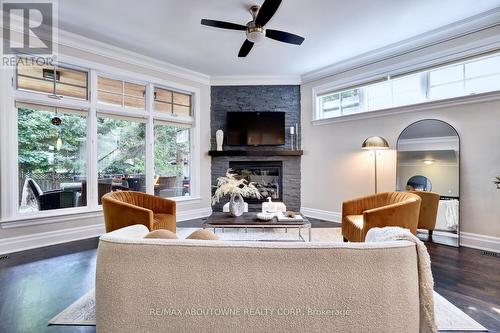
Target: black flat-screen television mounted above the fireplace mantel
<point x="255" y="128"/>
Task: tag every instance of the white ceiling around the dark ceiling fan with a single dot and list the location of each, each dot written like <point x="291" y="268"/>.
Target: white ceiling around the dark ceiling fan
<point x="335" y="30"/>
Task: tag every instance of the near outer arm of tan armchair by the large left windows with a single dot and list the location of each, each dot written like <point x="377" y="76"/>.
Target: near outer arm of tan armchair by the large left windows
<point x="121" y="214"/>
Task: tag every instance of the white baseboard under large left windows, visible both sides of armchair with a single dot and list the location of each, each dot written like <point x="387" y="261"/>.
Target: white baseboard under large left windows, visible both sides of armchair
<point x="32" y="241"/>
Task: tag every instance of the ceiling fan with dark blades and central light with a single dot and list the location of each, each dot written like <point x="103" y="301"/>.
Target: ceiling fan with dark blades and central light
<point x="255" y="30"/>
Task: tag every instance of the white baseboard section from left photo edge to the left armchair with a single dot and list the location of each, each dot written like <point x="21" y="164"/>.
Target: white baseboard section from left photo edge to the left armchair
<point x="22" y="243"/>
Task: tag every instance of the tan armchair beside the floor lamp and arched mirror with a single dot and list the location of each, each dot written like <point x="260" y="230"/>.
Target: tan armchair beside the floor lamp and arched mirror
<point x="397" y="209"/>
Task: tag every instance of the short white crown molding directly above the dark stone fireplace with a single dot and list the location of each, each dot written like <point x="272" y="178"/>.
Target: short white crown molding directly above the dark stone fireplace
<point x="251" y="80"/>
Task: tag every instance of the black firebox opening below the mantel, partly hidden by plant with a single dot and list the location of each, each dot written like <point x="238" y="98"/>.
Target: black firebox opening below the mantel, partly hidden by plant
<point x="266" y="175"/>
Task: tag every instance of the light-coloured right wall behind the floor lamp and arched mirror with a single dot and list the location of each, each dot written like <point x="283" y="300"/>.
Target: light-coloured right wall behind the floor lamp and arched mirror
<point x="334" y="168"/>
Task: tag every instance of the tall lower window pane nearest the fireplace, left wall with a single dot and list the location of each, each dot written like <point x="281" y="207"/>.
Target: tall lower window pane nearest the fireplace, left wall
<point x="171" y="160"/>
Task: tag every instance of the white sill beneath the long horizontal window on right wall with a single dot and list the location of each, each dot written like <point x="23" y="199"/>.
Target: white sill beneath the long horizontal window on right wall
<point x="463" y="100"/>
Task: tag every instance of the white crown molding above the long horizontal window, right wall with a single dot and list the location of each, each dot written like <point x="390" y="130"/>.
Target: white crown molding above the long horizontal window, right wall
<point x="488" y="19"/>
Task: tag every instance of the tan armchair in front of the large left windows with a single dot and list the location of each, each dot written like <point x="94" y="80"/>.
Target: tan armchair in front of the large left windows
<point x="125" y="208"/>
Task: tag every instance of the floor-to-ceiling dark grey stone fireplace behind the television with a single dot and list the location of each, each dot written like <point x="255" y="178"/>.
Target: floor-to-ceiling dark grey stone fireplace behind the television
<point x="276" y="169"/>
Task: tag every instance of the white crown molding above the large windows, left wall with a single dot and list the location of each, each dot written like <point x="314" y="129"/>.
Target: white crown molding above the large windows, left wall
<point x="85" y="44"/>
